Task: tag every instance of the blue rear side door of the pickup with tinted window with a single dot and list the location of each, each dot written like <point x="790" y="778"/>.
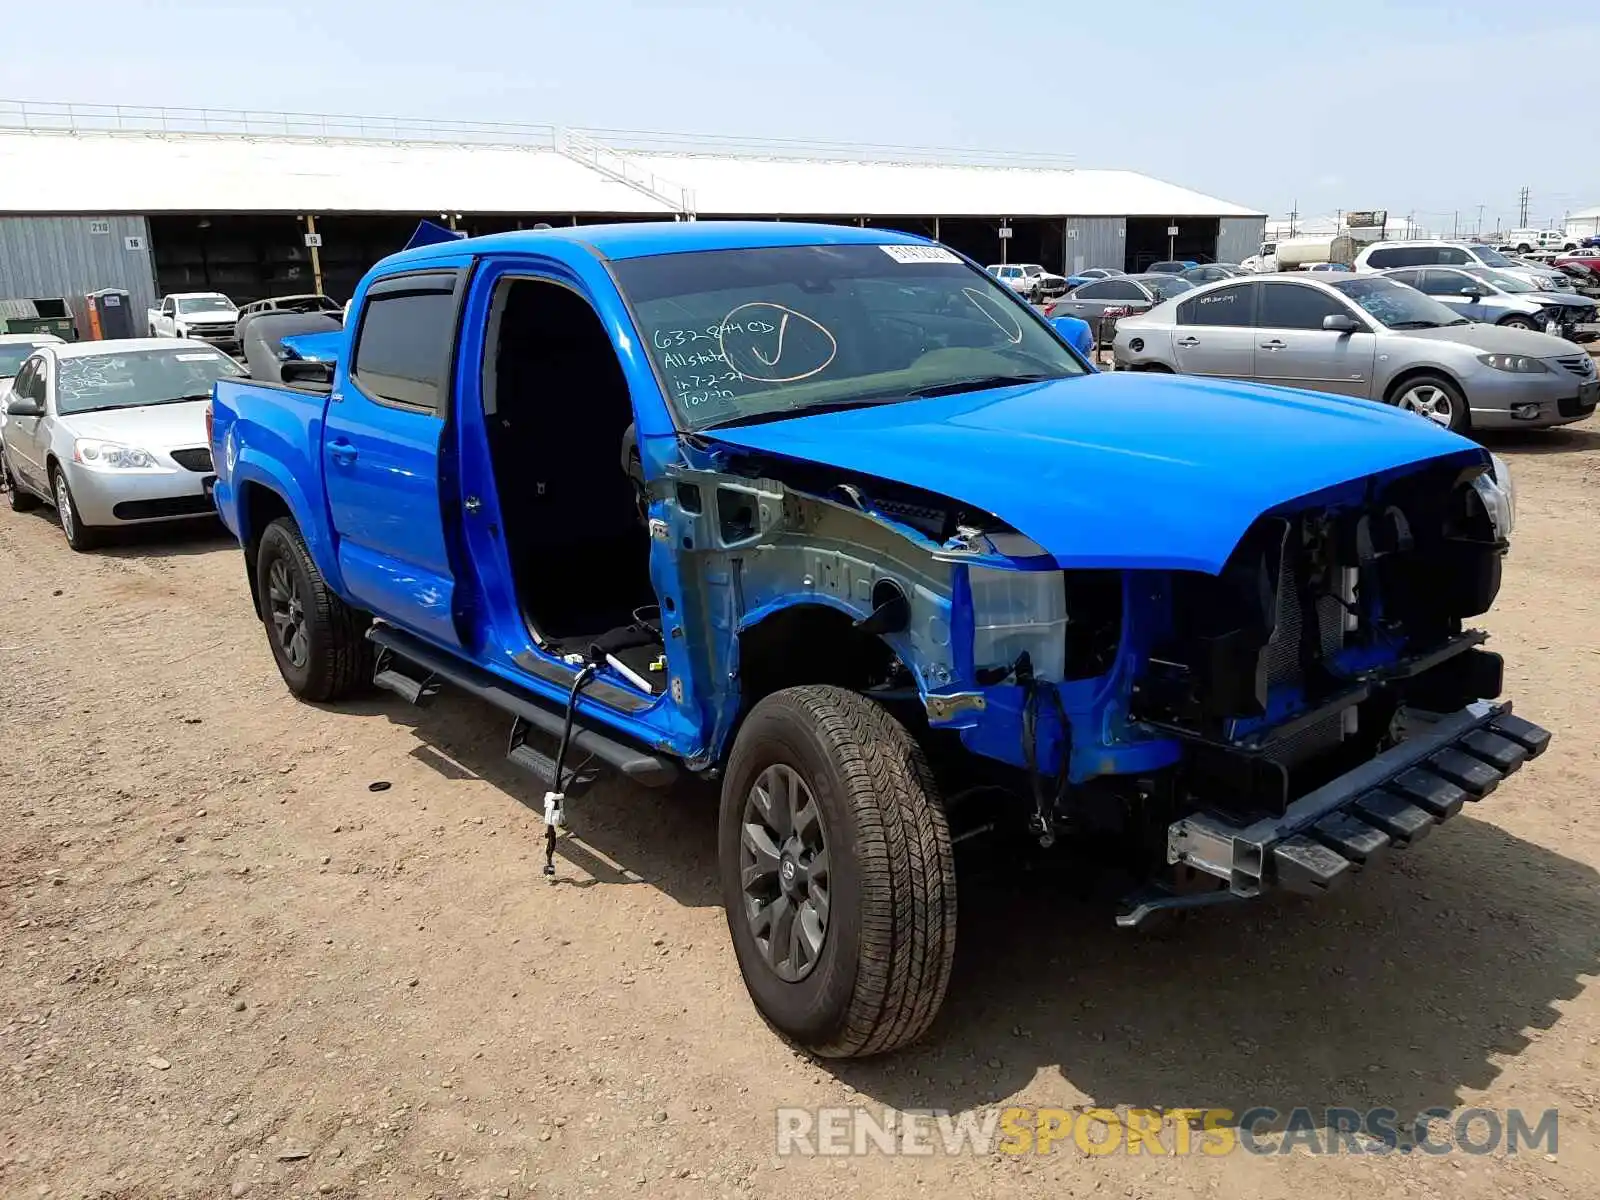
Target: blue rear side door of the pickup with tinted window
<point x="382" y="452"/>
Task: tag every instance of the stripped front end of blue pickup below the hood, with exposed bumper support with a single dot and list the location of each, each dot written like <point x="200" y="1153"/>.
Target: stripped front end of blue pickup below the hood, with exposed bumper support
<point x="1273" y="724"/>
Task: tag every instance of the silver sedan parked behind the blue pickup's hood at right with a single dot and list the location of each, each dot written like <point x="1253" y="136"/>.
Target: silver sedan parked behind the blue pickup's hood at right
<point x="1366" y="337"/>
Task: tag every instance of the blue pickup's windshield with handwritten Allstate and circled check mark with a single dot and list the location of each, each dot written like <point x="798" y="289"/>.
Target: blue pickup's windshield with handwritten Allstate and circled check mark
<point x="761" y="334"/>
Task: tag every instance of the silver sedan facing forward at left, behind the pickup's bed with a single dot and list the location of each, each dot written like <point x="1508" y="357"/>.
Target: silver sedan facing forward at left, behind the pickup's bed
<point x="113" y="433"/>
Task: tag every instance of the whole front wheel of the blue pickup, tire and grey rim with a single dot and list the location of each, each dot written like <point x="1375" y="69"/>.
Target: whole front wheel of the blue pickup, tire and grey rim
<point x="838" y="873"/>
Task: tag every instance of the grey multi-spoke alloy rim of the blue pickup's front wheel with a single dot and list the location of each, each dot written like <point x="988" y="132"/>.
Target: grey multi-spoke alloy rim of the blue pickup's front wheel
<point x="783" y="862"/>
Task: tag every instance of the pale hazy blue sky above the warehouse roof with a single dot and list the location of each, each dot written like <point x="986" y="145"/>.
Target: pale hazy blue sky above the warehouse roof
<point x="1359" y="105"/>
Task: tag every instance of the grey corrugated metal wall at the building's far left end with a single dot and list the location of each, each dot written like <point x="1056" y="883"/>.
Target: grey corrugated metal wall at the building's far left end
<point x="71" y="255"/>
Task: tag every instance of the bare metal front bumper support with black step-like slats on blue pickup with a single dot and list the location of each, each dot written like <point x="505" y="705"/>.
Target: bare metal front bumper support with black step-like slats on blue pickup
<point x="1390" y="802"/>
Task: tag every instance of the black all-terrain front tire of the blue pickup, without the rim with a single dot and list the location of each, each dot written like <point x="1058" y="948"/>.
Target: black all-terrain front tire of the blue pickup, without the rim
<point x="890" y="940"/>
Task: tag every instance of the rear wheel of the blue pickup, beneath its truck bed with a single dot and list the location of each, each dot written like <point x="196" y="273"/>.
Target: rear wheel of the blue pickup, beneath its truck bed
<point x="318" y="641"/>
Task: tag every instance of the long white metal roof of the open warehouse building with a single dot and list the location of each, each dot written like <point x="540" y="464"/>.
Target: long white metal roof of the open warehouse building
<point x="86" y="159"/>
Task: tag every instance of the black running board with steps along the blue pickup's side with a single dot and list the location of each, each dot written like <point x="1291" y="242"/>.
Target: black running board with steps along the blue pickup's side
<point x="642" y="767"/>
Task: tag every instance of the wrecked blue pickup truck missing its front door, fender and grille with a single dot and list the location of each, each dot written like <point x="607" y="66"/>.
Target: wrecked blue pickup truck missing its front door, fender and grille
<point x="830" y="516"/>
